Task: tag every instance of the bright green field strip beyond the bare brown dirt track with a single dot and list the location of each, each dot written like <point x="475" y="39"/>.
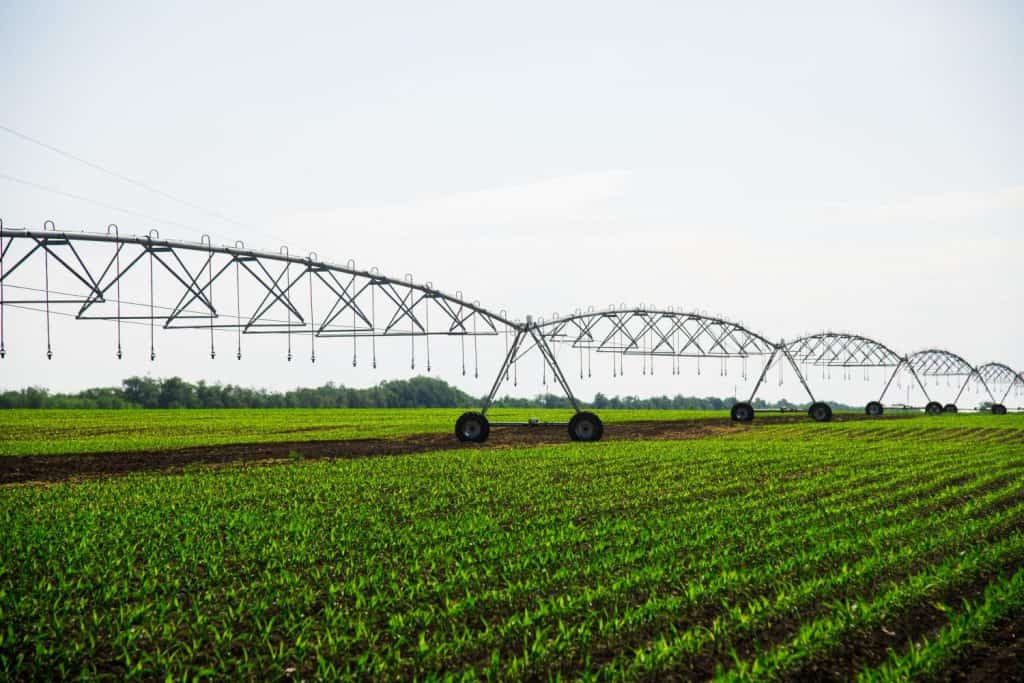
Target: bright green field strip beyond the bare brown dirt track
<point x="50" y="433"/>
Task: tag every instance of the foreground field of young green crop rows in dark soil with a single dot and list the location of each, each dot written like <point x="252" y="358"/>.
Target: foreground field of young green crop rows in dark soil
<point x="872" y="550"/>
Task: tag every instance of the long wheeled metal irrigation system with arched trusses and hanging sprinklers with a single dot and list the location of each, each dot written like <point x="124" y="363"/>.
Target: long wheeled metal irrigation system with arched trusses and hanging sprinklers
<point x="151" y="282"/>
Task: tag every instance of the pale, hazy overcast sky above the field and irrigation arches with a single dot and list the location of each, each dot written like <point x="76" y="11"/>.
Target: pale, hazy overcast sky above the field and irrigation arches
<point x="794" y="166"/>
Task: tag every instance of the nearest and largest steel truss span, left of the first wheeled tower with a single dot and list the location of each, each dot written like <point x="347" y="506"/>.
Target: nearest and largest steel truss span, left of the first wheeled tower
<point x="357" y="303"/>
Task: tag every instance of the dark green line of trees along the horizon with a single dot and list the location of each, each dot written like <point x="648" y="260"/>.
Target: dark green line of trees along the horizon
<point x="175" y="393"/>
